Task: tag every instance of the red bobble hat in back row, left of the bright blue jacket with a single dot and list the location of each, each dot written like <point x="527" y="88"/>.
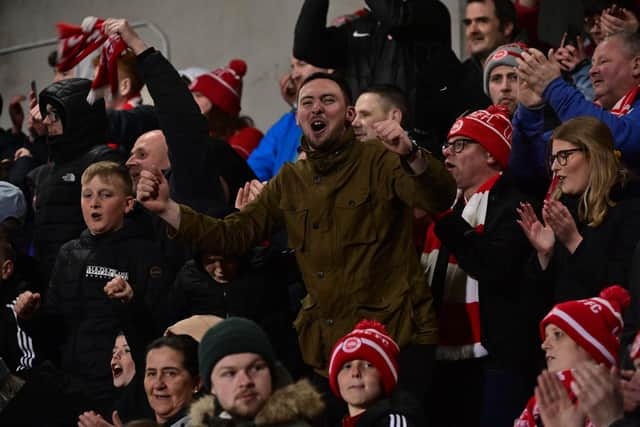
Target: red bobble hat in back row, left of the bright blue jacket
<point x="223" y="86"/>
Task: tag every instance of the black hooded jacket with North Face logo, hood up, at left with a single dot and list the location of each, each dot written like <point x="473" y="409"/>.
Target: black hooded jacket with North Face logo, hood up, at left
<point x="58" y="217"/>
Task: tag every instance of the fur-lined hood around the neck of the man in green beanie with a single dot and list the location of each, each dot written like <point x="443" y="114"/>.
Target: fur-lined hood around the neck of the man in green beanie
<point x="294" y="404"/>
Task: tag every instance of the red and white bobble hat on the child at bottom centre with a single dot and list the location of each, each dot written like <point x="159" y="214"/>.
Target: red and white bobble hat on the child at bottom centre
<point x="368" y="341"/>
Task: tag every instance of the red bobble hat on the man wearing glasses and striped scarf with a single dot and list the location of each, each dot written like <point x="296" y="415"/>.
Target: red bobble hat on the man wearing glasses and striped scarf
<point x="490" y="128"/>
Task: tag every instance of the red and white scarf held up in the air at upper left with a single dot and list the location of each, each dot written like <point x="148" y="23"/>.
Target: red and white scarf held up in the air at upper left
<point x="77" y="42"/>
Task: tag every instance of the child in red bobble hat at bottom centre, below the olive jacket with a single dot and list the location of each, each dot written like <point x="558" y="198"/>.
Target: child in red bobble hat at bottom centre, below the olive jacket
<point x="363" y="371"/>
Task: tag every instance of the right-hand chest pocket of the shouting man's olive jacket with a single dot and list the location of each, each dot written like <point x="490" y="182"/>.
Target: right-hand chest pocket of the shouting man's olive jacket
<point x="355" y="222"/>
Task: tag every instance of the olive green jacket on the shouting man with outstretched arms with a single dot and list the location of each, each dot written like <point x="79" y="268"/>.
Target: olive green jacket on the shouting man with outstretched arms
<point x="348" y="216"/>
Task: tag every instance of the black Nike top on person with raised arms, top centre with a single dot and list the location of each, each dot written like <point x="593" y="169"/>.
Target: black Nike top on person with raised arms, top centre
<point x="402" y="42"/>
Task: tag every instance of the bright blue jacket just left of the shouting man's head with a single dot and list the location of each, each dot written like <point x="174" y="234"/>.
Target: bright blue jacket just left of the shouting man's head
<point x="278" y="146"/>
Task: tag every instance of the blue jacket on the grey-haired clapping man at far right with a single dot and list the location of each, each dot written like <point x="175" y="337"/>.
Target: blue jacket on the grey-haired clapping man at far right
<point x="529" y="140"/>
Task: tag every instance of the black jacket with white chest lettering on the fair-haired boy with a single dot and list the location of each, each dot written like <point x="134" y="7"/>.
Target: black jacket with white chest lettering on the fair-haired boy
<point x="82" y="322"/>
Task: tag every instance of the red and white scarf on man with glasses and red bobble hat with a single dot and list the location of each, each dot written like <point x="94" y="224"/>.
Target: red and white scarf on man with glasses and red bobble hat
<point x="459" y="317"/>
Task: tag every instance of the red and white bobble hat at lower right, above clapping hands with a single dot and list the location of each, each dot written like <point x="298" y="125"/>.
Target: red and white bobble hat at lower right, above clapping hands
<point x="594" y="323"/>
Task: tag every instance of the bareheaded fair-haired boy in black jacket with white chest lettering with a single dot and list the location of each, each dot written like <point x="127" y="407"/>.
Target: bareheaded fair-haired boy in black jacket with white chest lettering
<point x="110" y="279"/>
